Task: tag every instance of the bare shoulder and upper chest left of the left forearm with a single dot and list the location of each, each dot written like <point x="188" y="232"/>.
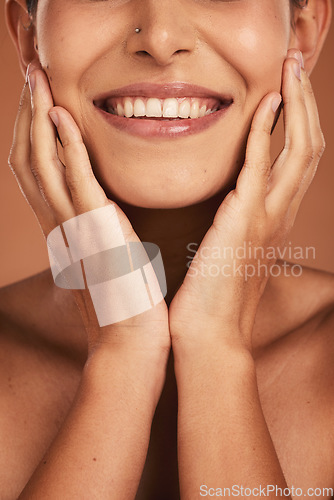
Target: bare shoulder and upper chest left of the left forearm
<point x="39" y="374"/>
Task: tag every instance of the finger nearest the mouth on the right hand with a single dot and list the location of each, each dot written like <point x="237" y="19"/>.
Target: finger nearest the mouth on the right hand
<point x="253" y="178"/>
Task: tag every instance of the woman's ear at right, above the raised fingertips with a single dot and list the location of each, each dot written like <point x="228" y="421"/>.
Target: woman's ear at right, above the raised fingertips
<point x="311" y="27"/>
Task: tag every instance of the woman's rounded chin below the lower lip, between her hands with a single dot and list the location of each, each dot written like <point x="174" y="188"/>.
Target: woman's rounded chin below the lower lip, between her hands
<point x="175" y="184"/>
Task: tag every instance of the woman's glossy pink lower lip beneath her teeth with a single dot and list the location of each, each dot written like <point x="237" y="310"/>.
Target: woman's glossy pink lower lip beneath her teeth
<point x="164" y="128"/>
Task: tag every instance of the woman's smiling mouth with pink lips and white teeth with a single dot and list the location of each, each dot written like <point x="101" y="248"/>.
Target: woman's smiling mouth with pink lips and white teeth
<point x="169" y="105"/>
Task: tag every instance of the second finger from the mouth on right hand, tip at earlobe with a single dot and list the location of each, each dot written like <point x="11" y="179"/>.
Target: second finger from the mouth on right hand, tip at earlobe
<point x="291" y="166"/>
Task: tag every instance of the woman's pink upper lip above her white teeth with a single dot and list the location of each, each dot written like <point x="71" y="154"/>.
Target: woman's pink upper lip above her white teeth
<point x="162" y="91"/>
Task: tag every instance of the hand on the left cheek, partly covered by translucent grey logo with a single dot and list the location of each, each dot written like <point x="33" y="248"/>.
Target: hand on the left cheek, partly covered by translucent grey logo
<point x="59" y="191"/>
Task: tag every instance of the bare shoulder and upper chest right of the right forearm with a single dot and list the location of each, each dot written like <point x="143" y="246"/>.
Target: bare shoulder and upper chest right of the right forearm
<point x="295" y="372"/>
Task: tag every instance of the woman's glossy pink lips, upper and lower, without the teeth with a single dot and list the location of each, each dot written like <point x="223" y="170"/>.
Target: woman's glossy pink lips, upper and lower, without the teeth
<point x="146" y="127"/>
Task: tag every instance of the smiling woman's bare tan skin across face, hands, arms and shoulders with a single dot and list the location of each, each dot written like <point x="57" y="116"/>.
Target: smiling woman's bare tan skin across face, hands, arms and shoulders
<point x="232" y="363"/>
